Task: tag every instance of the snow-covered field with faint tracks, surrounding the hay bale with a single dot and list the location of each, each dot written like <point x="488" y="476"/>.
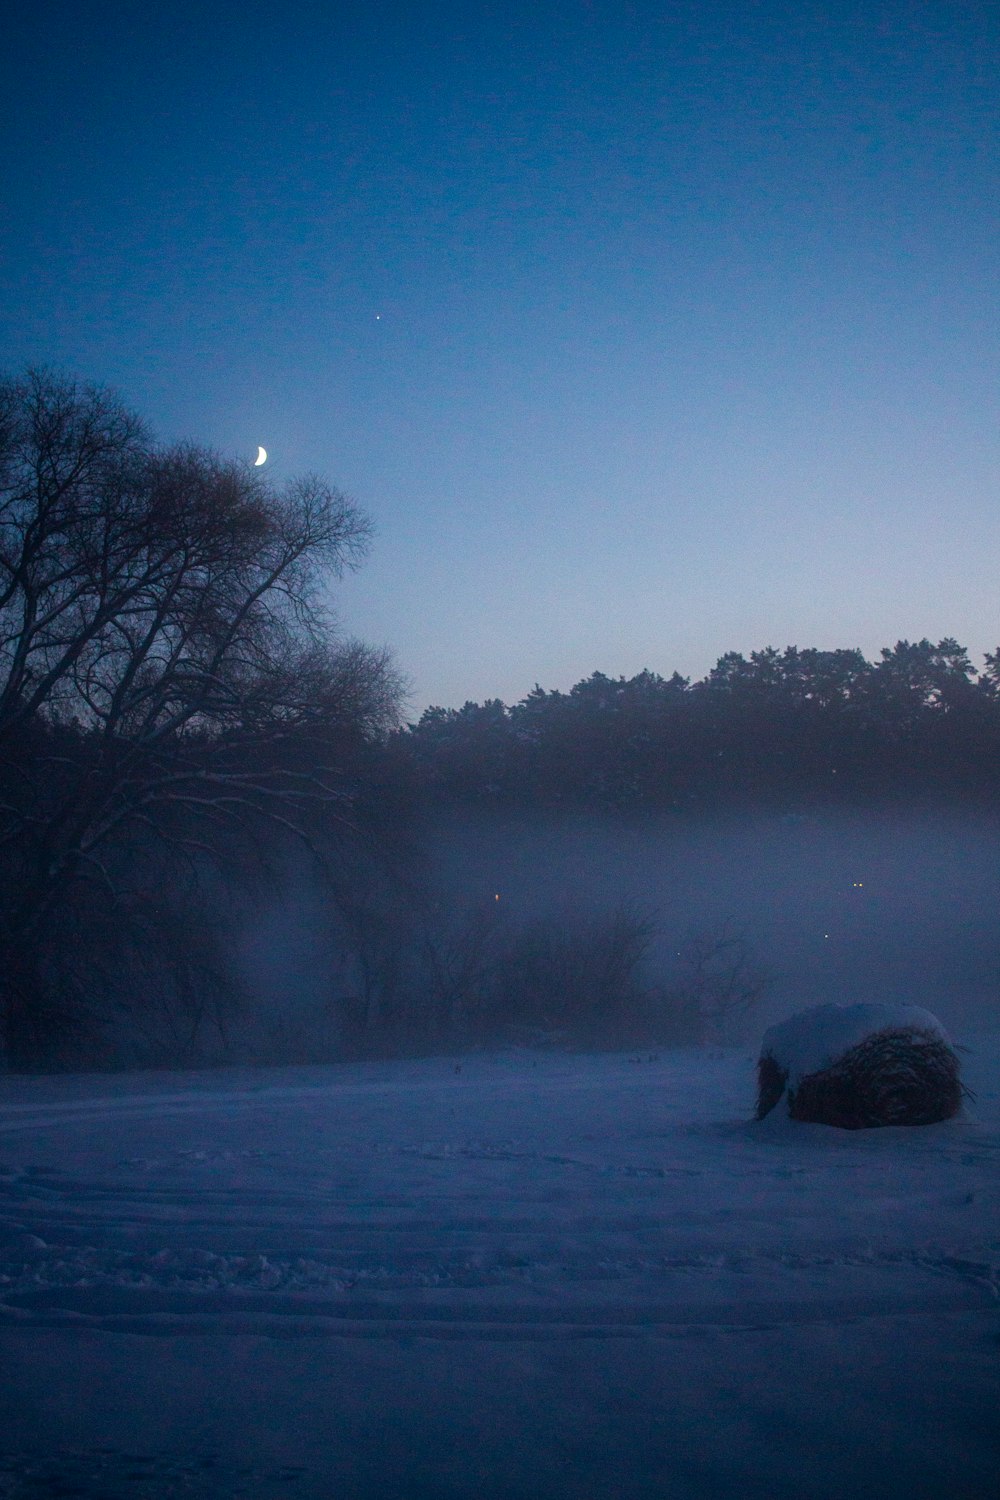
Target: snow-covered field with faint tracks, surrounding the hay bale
<point x="510" y="1277"/>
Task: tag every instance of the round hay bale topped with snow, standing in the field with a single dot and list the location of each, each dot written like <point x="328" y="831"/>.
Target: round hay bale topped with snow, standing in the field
<point x="860" y="1066"/>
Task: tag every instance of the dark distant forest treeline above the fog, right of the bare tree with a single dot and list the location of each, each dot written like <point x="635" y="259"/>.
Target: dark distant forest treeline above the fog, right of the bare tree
<point x="795" y="727"/>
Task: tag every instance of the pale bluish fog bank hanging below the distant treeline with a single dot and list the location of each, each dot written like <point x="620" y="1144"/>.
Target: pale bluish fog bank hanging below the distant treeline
<point x="894" y="905"/>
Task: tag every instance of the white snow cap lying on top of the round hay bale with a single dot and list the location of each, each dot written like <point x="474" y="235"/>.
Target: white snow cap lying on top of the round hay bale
<point x="813" y="1040"/>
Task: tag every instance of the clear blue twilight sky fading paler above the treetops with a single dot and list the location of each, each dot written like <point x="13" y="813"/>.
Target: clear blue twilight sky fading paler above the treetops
<point x="642" y="331"/>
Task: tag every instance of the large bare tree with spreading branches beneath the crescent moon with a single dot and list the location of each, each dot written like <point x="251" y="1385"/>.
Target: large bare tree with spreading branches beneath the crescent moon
<point x="170" y="674"/>
